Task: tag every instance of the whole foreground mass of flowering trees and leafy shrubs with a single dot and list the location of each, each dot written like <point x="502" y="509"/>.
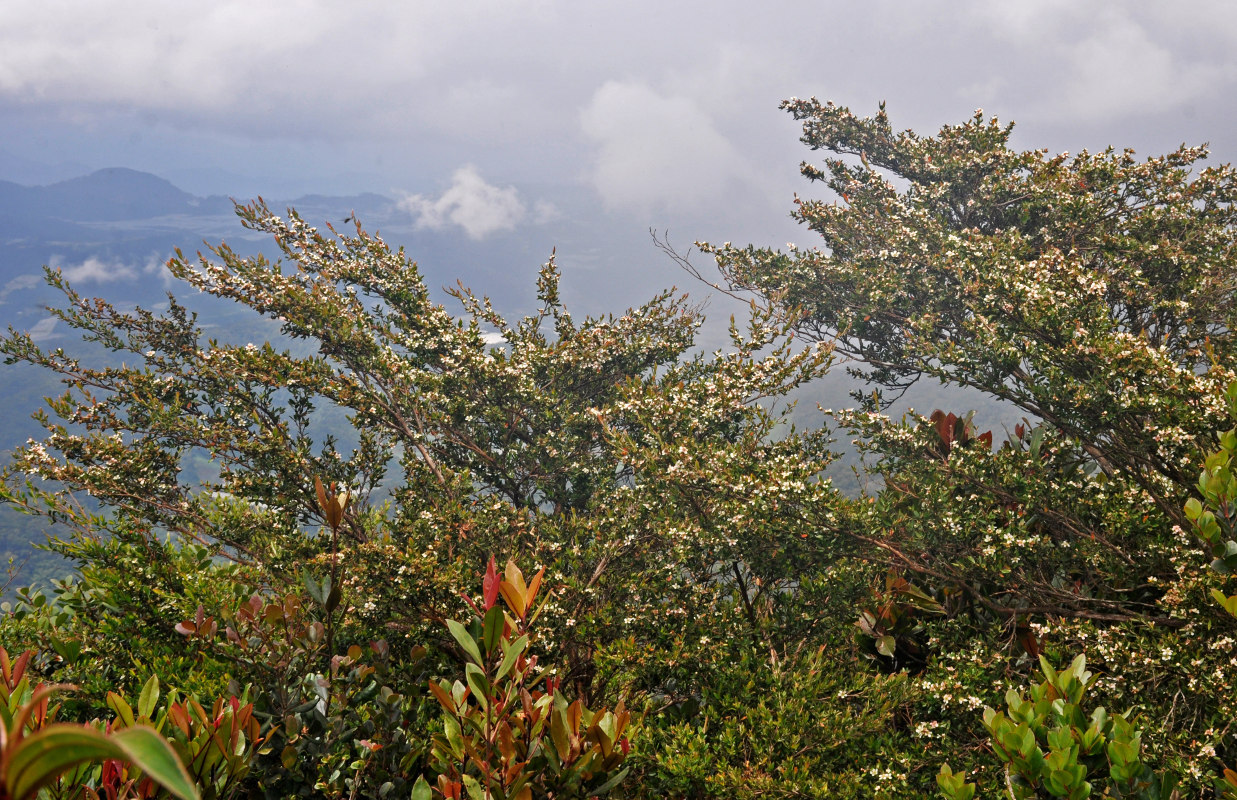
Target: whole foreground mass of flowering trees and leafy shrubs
<point x="708" y="616"/>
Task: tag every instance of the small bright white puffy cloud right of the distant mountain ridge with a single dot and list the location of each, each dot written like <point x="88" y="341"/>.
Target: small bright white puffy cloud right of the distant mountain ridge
<point x="471" y="203"/>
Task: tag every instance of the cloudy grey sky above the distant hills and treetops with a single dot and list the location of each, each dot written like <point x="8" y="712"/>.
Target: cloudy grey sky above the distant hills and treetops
<point x="551" y="119"/>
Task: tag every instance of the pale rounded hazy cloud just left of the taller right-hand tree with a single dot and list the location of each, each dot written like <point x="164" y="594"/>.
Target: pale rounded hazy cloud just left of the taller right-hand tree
<point x="659" y="151"/>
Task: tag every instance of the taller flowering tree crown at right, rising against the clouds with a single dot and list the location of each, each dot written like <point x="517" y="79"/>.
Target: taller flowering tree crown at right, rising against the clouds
<point x="1090" y="291"/>
